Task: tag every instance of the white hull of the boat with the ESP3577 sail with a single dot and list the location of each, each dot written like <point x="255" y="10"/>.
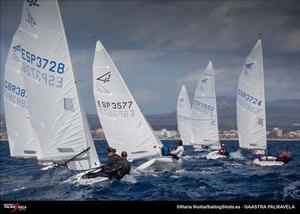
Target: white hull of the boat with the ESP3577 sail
<point x="161" y="164"/>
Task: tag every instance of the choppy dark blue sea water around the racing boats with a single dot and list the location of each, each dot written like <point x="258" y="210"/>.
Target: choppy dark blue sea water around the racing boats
<point x="229" y="179"/>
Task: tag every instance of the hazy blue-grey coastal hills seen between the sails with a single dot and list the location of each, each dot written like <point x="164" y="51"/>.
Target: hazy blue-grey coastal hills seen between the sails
<point x="281" y="113"/>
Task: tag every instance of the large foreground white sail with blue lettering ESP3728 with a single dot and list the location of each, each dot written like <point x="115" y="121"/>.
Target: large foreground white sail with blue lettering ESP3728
<point x="56" y="115"/>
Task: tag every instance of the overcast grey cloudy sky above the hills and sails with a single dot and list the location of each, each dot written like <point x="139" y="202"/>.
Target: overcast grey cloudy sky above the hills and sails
<point x="159" y="45"/>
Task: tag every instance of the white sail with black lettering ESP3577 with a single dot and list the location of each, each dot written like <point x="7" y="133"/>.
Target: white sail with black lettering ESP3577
<point x="124" y="125"/>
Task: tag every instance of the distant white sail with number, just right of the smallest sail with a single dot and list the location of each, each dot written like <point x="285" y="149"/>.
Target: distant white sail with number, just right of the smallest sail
<point x="204" y="110"/>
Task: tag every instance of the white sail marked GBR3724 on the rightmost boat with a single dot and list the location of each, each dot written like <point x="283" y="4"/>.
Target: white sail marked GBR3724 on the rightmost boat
<point x="251" y="118"/>
